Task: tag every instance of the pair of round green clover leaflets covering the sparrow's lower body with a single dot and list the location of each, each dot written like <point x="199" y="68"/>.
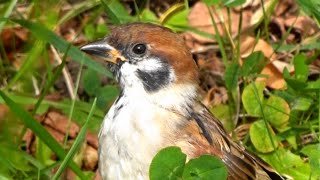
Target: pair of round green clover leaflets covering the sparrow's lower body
<point x="170" y="163"/>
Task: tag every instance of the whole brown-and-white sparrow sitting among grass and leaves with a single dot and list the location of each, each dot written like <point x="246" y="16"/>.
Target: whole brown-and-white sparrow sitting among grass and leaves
<point x="158" y="107"/>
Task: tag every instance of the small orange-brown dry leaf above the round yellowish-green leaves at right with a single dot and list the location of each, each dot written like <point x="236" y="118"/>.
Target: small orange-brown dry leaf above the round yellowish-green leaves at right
<point x="274" y="80"/>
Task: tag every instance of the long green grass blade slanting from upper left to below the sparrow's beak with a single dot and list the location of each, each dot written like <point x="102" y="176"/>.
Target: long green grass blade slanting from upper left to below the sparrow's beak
<point x="44" y="34"/>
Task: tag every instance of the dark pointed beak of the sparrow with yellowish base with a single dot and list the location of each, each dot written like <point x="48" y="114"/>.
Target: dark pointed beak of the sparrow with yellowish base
<point x="102" y="50"/>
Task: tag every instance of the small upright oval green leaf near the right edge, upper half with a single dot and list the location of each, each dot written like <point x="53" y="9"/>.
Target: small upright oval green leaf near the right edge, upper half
<point x="301" y="70"/>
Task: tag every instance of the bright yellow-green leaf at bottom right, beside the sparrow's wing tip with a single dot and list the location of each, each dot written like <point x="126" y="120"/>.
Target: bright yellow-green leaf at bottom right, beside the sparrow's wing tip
<point x="285" y="162"/>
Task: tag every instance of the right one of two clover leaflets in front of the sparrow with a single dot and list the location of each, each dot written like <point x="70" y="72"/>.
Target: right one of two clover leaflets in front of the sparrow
<point x="205" y="167"/>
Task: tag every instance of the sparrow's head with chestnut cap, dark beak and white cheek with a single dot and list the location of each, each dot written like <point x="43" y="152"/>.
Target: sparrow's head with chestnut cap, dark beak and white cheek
<point x="147" y="57"/>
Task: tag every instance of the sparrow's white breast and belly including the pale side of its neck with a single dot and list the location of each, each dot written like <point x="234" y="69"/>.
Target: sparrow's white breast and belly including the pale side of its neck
<point x="136" y="127"/>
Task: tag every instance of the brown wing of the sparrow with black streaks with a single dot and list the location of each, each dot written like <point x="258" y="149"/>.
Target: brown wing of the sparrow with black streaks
<point x="206" y="135"/>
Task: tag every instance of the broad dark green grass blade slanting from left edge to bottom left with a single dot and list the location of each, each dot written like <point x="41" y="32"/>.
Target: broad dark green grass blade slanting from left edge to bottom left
<point x="39" y="131"/>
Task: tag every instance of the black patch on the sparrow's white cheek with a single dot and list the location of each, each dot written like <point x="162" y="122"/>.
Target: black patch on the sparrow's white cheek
<point x="154" y="80"/>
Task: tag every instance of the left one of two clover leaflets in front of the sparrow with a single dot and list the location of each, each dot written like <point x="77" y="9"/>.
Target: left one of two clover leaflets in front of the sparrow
<point x="167" y="164"/>
